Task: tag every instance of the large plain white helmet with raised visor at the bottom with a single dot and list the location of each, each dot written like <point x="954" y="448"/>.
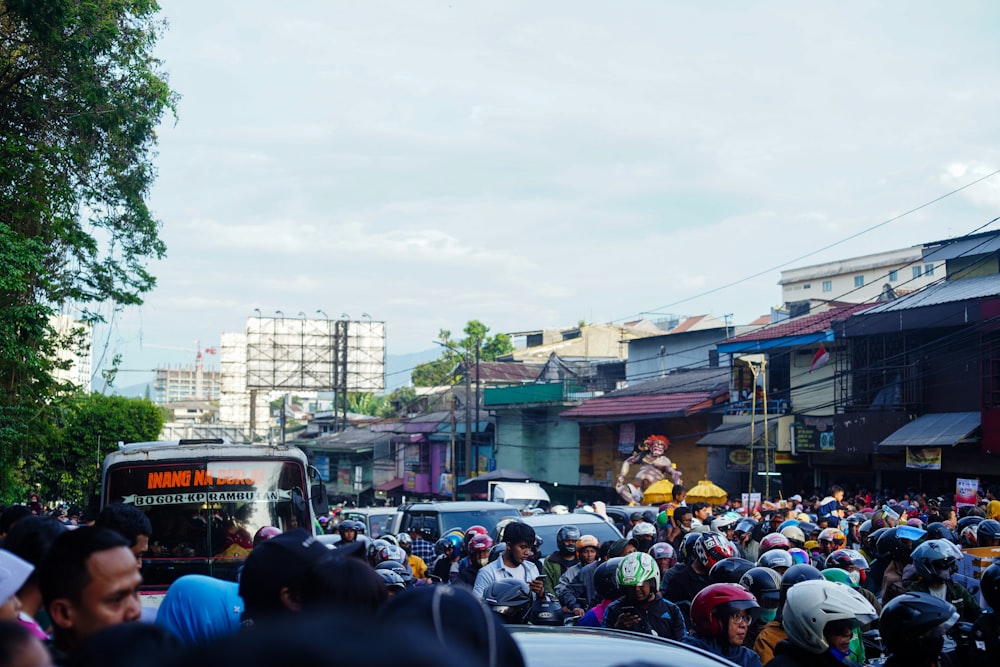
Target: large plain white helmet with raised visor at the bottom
<point x="810" y="605"/>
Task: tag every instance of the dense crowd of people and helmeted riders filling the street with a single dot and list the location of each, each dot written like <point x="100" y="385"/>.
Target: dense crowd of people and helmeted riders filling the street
<point x="788" y="584"/>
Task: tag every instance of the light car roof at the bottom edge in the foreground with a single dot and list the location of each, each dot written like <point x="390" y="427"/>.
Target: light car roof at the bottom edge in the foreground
<point x="543" y="646"/>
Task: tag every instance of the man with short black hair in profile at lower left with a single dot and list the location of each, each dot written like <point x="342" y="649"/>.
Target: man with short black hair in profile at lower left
<point x="89" y="581"/>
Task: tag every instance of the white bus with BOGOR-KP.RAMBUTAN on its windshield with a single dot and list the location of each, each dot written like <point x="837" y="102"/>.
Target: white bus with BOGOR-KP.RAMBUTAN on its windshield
<point x="206" y="499"/>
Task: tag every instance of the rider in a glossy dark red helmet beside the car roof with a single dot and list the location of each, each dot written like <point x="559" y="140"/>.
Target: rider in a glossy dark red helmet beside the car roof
<point x="721" y="614"/>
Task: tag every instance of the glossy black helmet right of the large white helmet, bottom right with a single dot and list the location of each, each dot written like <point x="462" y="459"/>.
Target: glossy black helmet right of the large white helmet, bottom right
<point x="915" y="623"/>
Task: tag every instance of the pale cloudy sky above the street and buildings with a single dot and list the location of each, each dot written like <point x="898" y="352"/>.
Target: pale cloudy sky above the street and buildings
<point x="534" y="164"/>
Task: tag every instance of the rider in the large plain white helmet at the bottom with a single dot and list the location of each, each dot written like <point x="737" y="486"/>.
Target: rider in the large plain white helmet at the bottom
<point x="820" y="618"/>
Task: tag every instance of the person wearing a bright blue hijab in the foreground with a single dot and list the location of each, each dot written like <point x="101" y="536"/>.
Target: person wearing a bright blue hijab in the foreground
<point x="199" y="609"/>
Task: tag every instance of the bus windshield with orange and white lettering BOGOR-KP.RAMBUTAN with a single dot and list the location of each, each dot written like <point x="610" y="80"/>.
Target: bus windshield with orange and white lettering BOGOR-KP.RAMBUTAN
<point x="204" y="514"/>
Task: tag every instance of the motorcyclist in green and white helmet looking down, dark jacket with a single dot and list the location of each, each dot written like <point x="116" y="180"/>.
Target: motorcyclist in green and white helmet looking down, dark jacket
<point x="641" y="608"/>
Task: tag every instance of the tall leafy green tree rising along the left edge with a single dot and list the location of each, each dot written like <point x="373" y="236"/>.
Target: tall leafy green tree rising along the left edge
<point x="80" y="99"/>
